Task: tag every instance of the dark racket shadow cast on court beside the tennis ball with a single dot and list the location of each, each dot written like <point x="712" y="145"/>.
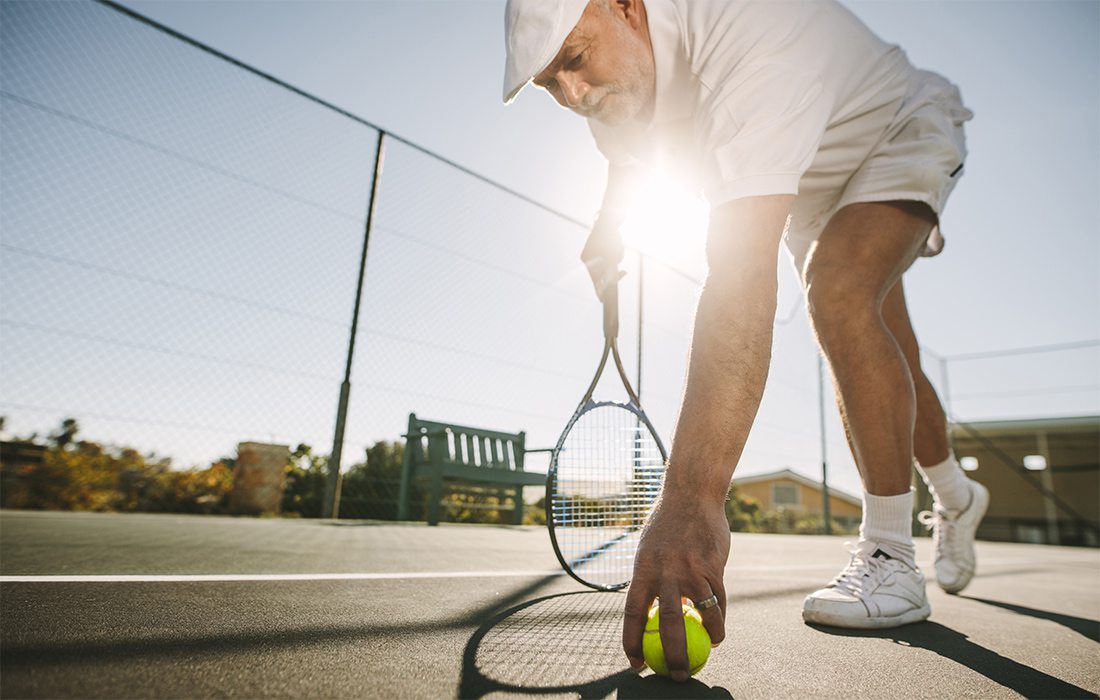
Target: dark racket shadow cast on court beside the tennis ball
<point x="567" y="643"/>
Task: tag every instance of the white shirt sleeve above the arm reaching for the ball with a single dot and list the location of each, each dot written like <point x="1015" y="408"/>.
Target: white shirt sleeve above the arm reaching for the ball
<point x="761" y="130"/>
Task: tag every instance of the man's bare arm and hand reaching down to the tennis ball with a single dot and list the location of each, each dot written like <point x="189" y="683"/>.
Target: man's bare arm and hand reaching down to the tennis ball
<point x="686" y="544"/>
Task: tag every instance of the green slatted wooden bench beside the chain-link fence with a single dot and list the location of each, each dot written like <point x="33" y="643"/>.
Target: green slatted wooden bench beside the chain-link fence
<point x="443" y="452"/>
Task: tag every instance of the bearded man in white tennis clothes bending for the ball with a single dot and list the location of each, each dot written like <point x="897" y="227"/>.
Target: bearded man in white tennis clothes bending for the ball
<point x="796" y="123"/>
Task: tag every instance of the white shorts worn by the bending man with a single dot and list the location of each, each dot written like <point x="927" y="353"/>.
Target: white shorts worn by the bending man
<point x="919" y="159"/>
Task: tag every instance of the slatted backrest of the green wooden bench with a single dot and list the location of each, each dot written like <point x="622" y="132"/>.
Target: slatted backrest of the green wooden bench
<point x="432" y="443"/>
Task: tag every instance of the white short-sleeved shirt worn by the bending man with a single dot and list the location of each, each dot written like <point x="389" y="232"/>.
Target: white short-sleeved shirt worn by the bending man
<point x="755" y="97"/>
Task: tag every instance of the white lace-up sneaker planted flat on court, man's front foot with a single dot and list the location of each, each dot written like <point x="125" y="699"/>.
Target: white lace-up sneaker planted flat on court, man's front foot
<point x="873" y="593"/>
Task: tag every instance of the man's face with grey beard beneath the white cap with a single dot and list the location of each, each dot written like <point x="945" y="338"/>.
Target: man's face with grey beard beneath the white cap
<point x="606" y="68"/>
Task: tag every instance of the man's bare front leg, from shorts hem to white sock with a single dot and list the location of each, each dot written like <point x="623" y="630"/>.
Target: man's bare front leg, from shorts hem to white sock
<point x="856" y="262"/>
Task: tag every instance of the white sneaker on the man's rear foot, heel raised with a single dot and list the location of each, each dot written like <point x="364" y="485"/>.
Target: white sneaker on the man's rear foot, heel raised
<point x="953" y="540"/>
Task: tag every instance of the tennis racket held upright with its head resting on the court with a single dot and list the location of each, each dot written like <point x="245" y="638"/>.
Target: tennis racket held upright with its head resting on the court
<point x="606" y="474"/>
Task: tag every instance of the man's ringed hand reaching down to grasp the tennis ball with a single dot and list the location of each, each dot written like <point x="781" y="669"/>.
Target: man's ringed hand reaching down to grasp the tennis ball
<point x="683" y="553"/>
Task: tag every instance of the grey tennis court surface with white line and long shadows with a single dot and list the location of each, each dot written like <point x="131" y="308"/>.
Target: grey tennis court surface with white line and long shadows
<point x="166" y="606"/>
